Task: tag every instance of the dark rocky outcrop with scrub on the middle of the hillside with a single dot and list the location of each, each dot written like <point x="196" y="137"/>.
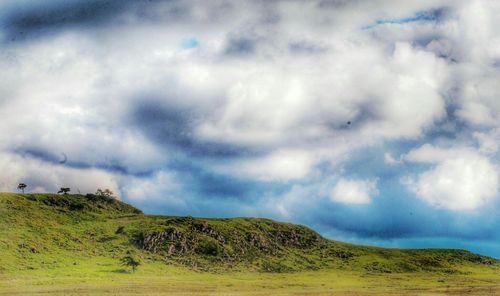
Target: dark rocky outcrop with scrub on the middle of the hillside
<point x="232" y="243"/>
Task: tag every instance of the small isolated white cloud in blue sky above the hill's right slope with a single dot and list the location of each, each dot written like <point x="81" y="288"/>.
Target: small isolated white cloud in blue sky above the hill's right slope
<point x="354" y="191"/>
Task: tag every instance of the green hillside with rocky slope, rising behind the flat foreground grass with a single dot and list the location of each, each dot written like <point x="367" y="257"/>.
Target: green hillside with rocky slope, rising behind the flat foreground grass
<point x="42" y="233"/>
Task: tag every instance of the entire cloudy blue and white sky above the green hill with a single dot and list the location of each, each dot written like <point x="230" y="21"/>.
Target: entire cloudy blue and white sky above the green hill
<point x="371" y="121"/>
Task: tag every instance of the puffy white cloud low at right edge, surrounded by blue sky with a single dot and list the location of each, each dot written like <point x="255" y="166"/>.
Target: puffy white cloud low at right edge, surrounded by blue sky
<point x="461" y="179"/>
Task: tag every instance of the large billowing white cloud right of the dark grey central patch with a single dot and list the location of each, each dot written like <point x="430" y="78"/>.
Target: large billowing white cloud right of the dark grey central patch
<point x="278" y="103"/>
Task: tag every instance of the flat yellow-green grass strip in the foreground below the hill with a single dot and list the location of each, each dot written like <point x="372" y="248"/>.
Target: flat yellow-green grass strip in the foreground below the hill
<point x="104" y="276"/>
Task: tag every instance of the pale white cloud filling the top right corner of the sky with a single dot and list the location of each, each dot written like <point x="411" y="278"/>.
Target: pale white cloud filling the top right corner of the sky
<point x="478" y="40"/>
